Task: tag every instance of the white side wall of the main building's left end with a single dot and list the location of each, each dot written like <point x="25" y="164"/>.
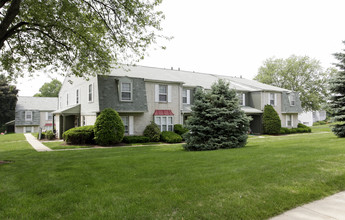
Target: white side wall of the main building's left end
<point x="70" y="85"/>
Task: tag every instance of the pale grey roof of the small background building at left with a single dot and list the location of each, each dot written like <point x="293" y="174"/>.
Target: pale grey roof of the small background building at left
<point x="37" y="103"/>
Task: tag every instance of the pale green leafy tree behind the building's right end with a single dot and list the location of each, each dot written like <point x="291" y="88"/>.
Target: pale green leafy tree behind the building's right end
<point x="300" y="74"/>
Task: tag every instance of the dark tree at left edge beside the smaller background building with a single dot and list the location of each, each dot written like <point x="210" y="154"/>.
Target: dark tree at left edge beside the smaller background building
<point x="8" y="100"/>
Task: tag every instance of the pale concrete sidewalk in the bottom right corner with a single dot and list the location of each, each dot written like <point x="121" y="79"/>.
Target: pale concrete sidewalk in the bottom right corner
<point x="332" y="207"/>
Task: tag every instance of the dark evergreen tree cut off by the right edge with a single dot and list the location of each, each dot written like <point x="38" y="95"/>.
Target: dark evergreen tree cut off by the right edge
<point x="337" y="103"/>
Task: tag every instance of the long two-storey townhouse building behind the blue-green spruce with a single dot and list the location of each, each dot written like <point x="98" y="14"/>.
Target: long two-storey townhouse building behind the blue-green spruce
<point x="143" y="94"/>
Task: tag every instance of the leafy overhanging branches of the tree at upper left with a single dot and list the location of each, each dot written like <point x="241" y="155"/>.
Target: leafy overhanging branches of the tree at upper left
<point x="80" y="37"/>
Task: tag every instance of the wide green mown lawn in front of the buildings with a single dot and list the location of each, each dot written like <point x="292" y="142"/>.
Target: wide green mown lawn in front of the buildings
<point x="265" y="178"/>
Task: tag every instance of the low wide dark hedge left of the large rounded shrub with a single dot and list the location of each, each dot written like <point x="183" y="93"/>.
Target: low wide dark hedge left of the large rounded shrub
<point x="79" y="135"/>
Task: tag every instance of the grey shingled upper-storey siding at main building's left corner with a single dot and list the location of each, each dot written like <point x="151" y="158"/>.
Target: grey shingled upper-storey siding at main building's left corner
<point x="109" y="95"/>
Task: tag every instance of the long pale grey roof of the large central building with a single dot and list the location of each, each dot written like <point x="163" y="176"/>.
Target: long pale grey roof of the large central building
<point x="192" y="79"/>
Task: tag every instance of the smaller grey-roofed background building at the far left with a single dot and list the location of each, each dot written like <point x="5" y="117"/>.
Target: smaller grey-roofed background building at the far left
<point x="34" y="112"/>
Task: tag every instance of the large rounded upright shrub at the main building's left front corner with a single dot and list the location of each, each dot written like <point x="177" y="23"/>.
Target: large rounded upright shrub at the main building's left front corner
<point x="109" y="128"/>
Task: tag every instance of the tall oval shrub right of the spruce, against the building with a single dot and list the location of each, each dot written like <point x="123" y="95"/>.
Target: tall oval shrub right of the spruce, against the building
<point x="271" y="121"/>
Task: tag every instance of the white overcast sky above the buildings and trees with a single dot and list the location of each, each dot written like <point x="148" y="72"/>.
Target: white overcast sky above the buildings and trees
<point x="233" y="38"/>
